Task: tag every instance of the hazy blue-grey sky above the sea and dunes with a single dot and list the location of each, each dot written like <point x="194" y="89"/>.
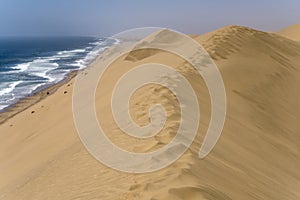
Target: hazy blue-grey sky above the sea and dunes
<point x="105" y="18"/>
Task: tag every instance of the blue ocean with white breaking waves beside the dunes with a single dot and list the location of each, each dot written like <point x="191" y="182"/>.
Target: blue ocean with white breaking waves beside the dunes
<point x="31" y="63"/>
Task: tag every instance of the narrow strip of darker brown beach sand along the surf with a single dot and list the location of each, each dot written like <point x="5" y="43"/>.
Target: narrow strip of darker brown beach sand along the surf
<point x="26" y="102"/>
